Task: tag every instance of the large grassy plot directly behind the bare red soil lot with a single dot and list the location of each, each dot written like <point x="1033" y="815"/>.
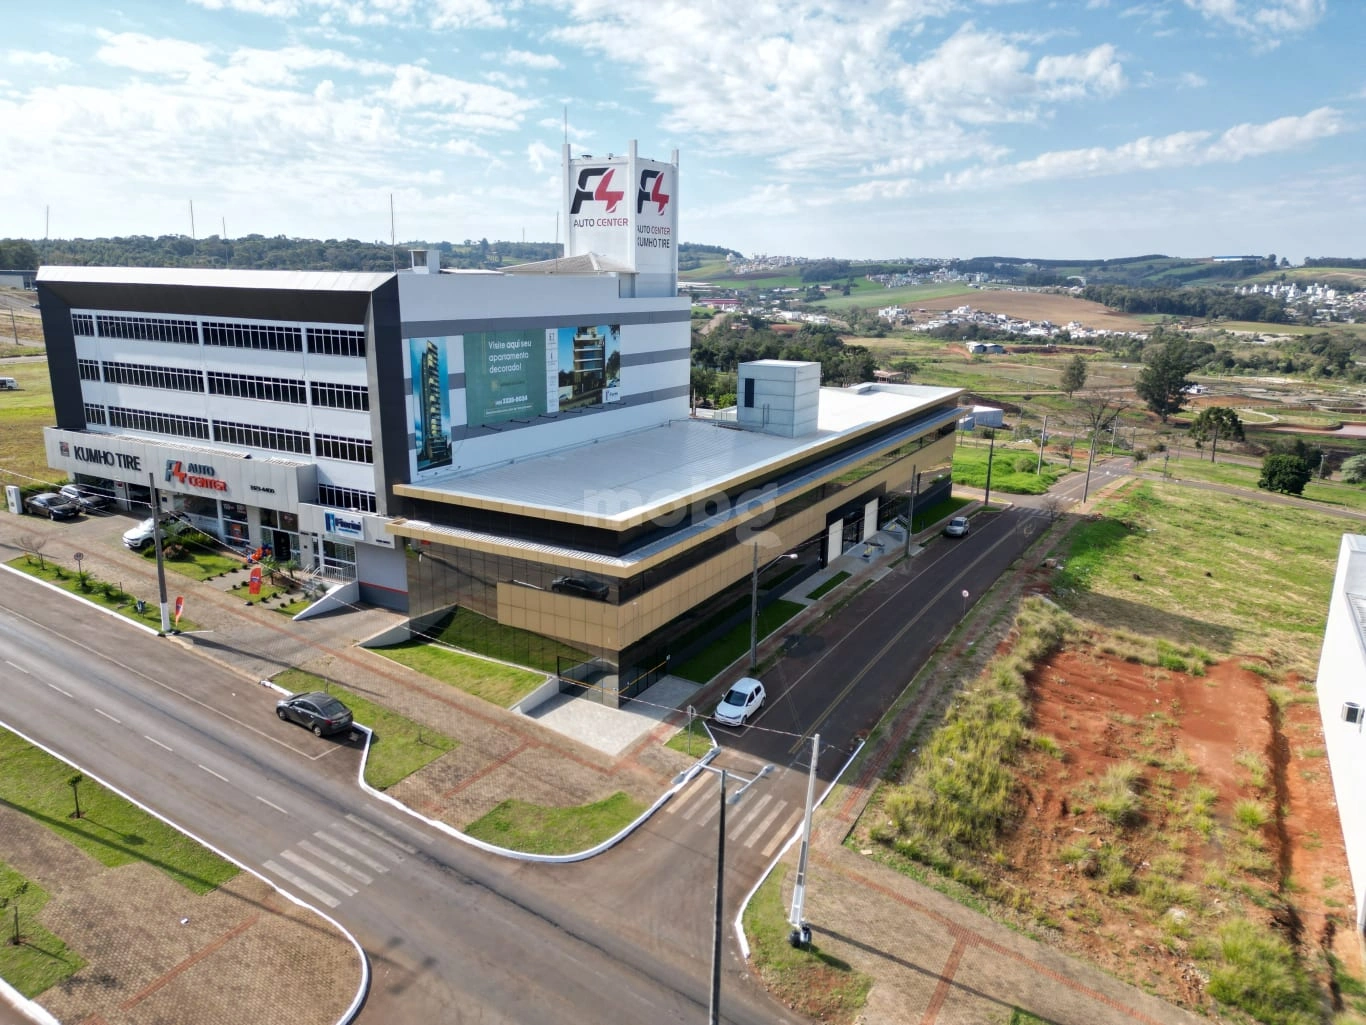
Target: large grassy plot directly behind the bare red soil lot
<point x="1229" y="573"/>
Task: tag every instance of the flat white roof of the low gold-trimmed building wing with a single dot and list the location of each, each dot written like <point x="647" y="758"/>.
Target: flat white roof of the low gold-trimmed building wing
<point x="625" y="476"/>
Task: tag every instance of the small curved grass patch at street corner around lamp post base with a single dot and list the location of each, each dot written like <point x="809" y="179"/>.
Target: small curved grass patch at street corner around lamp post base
<point x="811" y="982"/>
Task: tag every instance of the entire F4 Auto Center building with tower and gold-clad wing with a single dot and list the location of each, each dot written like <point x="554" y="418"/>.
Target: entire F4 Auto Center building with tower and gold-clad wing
<point x="512" y="449"/>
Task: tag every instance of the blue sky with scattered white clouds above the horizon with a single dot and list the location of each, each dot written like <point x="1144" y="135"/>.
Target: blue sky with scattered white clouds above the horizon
<point x="805" y="128"/>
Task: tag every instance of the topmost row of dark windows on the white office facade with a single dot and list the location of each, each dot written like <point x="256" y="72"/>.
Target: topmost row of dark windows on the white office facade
<point x="282" y="338"/>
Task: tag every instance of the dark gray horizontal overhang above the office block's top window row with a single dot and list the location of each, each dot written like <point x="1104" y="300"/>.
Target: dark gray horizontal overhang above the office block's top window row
<point x="193" y="301"/>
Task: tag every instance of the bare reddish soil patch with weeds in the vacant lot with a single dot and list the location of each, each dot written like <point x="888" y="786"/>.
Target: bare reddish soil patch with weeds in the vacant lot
<point x="1182" y="733"/>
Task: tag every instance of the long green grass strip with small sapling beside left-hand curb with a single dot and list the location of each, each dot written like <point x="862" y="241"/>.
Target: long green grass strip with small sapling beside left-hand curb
<point x="110" y="829"/>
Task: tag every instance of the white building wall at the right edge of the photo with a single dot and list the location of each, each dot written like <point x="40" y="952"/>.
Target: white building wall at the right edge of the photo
<point x="1342" y="679"/>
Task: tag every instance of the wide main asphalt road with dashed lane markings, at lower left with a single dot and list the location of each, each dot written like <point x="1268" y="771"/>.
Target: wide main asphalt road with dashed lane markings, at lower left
<point x="453" y="935"/>
